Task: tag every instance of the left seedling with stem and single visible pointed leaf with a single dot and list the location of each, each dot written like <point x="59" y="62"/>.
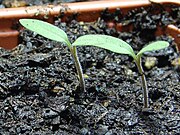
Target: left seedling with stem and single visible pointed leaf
<point x="54" y="33"/>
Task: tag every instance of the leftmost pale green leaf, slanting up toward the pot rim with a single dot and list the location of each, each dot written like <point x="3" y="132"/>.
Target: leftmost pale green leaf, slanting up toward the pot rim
<point x="45" y="29"/>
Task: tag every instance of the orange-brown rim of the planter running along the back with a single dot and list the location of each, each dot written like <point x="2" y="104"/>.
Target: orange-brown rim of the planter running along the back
<point x="70" y="8"/>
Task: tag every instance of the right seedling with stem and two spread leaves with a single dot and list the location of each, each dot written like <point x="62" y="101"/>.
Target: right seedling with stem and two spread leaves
<point x="119" y="46"/>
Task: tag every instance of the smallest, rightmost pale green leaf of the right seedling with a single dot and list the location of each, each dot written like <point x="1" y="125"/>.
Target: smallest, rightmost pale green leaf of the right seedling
<point x="154" y="46"/>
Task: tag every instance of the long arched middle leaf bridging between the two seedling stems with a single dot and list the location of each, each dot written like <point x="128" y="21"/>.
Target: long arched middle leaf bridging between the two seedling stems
<point x="106" y="42"/>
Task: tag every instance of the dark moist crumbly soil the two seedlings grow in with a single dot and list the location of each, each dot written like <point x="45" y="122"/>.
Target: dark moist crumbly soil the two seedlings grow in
<point x="39" y="85"/>
